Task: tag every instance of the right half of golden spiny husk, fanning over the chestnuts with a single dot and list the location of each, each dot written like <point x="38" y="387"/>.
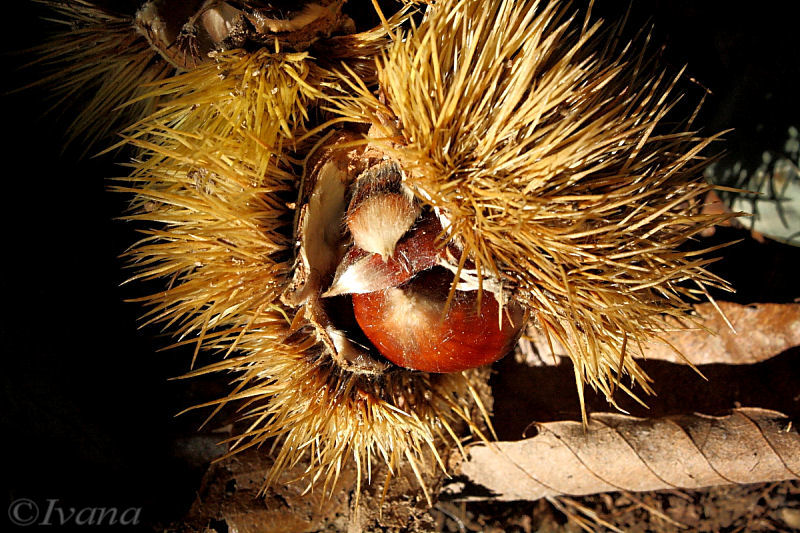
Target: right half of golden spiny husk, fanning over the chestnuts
<point x="550" y="155"/>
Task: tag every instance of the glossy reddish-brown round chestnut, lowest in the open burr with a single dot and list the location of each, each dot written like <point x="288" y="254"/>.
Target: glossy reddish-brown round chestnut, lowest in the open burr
<point x="412" y="326"/>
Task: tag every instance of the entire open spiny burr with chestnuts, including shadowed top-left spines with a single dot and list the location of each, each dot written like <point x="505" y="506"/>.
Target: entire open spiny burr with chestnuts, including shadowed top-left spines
<point x="550" y="155"/>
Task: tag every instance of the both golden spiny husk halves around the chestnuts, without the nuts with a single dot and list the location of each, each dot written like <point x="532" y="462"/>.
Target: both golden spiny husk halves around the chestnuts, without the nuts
<point x="547" y="152"/>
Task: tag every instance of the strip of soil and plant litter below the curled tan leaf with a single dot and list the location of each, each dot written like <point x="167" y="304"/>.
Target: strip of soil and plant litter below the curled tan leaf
<point x="736" y="508"/>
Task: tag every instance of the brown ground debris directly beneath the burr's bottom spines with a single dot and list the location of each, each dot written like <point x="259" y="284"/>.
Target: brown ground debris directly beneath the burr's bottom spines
<point x="231" y="492"/>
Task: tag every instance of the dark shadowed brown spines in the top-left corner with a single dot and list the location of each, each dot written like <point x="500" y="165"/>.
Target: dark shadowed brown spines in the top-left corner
<point x="100" y="61"/>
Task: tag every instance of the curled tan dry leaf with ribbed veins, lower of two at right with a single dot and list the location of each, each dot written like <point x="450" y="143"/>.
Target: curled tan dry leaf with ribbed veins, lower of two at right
<point x="618" y="452"/>
